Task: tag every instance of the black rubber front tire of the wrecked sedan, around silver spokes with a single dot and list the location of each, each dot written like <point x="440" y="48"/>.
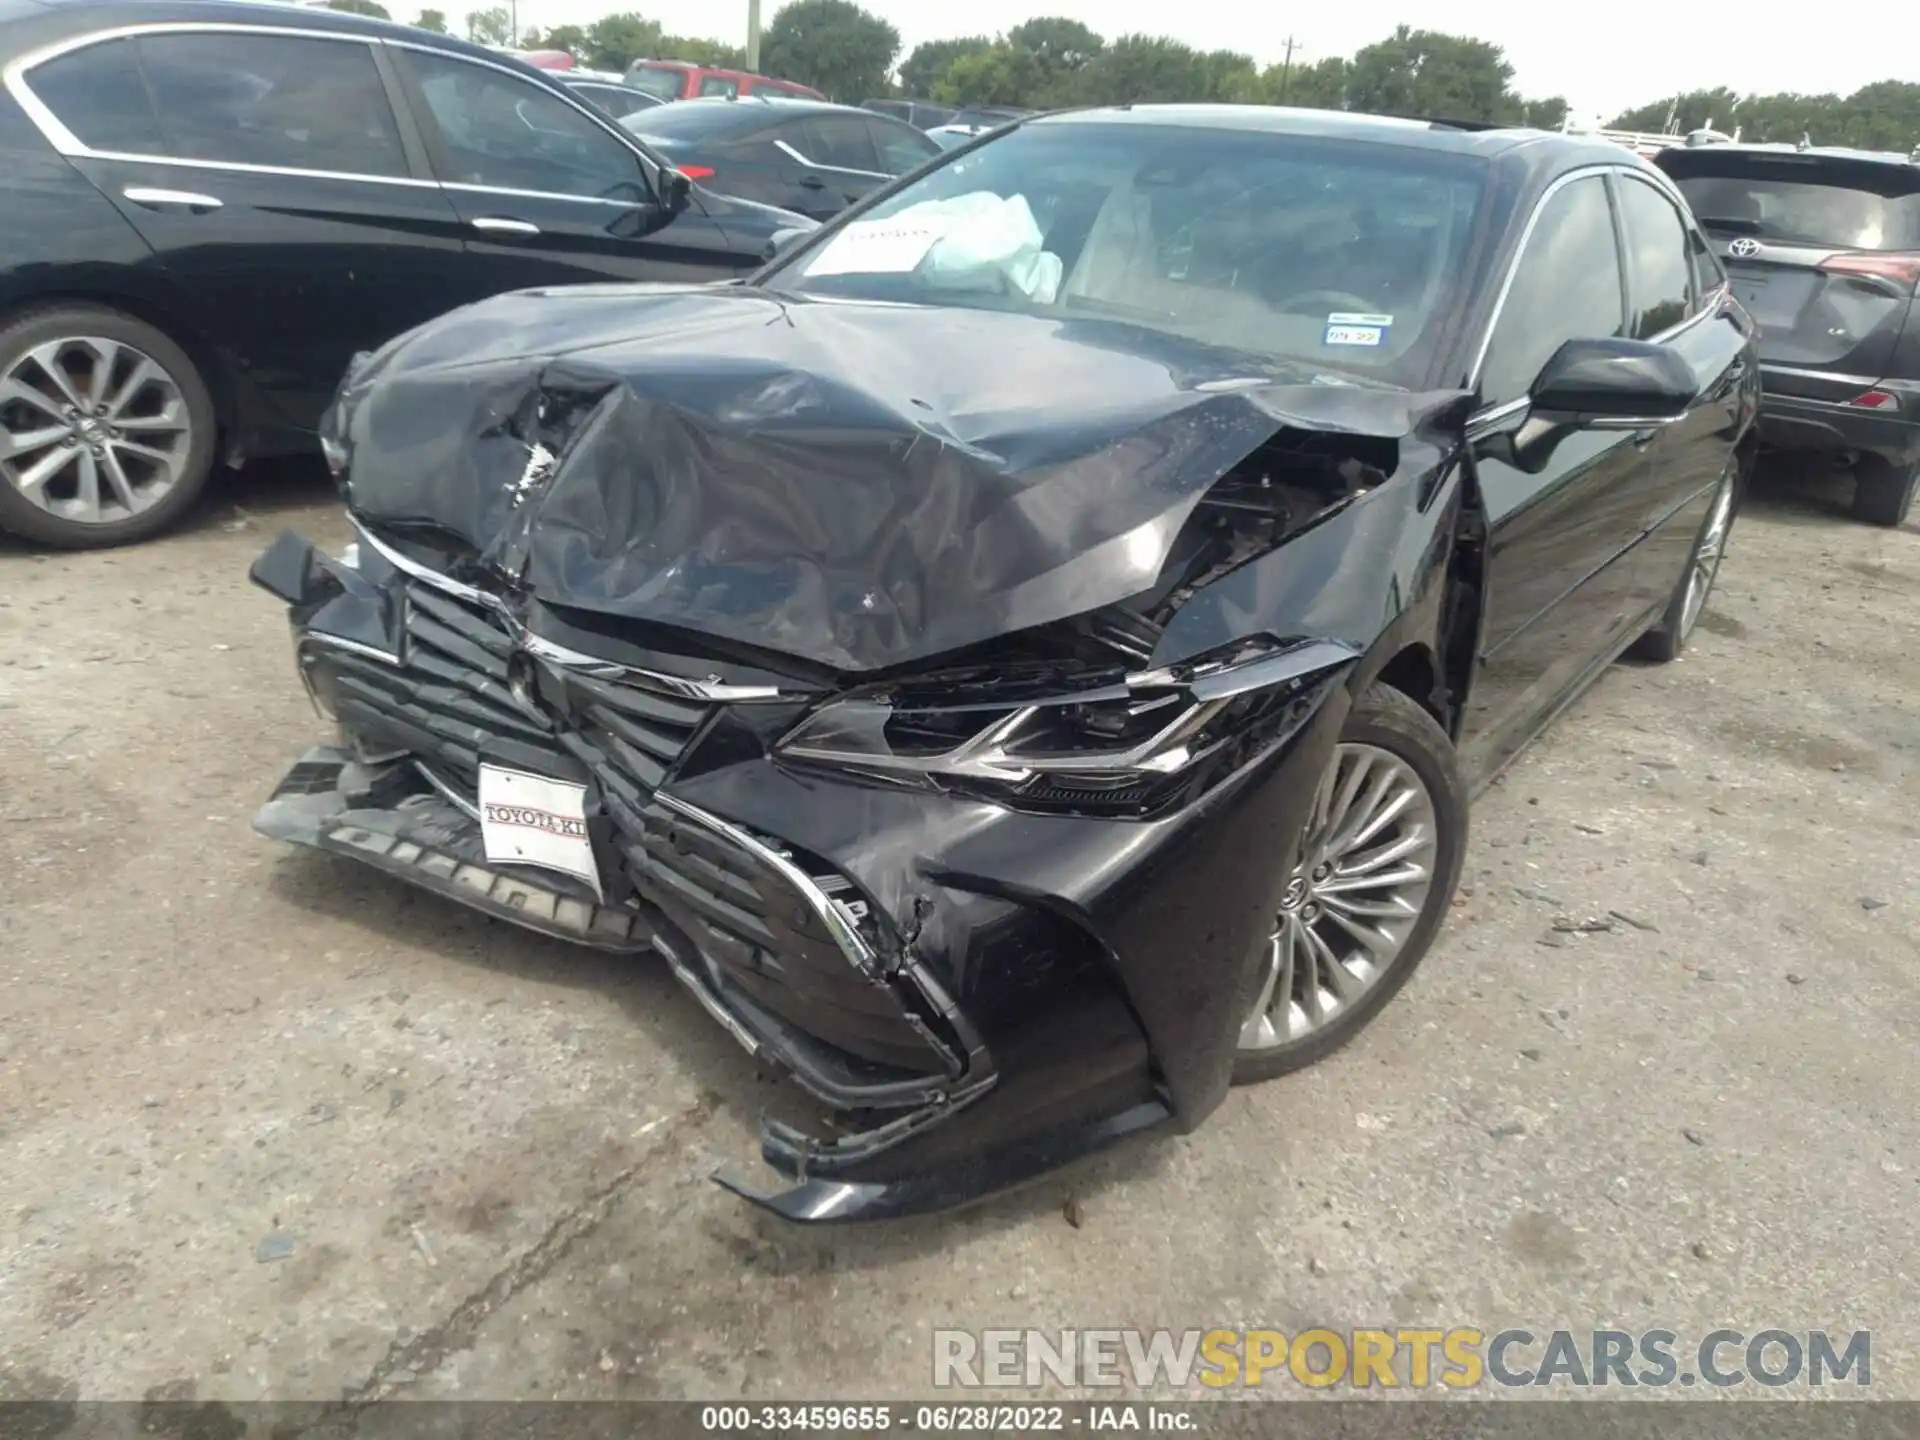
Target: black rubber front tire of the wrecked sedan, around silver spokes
<point x="1381" y="725"/>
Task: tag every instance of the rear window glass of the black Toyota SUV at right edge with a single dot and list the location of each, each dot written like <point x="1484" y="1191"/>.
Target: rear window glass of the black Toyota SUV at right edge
<point x="1848" y="206"/>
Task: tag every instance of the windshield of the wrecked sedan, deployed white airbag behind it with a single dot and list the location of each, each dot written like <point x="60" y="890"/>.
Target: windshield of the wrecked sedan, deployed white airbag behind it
<point x="1335" y="252"/>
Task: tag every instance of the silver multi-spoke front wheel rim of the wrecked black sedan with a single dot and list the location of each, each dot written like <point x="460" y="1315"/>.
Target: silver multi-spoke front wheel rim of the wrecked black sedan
<point x="1351" y="907"/>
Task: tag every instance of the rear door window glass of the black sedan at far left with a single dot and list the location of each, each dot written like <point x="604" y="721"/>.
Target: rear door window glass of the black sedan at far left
<point x="274" y="101"/>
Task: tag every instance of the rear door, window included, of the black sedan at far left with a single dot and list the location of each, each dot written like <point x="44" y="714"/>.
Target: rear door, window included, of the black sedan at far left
<point x="276" y="183"/>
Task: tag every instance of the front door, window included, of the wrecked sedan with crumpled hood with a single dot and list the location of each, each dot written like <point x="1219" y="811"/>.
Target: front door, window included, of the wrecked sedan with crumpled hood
<point x="1564" y="506"/>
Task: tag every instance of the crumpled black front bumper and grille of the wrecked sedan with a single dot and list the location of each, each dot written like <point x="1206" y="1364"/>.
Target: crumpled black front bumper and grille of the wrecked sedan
<point x="978" y="996"/>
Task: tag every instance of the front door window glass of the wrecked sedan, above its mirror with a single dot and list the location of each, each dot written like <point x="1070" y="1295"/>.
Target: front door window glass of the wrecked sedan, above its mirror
<point x="1566" y="287"/>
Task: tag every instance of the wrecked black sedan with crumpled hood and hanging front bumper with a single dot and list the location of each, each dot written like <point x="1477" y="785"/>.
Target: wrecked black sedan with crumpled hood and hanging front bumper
<point x="1024" y="658"/>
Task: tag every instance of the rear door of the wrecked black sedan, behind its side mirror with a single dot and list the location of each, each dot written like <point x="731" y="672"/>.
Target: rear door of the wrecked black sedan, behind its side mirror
<point x="1668" y="302"/>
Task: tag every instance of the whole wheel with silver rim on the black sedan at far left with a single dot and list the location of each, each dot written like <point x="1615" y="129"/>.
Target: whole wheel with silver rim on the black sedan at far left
<point x="153" y="446"/>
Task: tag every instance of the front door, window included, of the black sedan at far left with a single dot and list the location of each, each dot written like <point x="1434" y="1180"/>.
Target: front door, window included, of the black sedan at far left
<point x="546" y="189"/>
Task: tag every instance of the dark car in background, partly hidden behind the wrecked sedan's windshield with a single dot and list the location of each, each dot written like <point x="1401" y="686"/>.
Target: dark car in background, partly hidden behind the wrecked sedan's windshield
<point x="798" y="155"/>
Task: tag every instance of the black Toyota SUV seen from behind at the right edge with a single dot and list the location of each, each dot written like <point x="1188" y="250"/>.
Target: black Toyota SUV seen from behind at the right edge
<point x="1825" y="249"/>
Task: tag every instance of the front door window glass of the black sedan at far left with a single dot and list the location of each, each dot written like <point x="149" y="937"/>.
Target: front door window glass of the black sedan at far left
<point x="502" y="133"/>
